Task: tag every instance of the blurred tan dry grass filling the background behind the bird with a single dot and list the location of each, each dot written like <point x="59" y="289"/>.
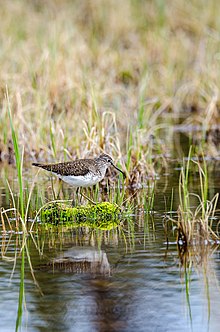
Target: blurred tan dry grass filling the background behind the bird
<point x="70" y="65"/>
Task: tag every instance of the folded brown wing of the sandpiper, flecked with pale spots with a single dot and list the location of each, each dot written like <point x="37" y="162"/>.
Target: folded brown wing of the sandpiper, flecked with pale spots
<point x="75" y="168"/>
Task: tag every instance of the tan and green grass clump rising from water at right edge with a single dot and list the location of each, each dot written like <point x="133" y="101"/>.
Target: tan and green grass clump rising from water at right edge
<point x="195" y="223"/>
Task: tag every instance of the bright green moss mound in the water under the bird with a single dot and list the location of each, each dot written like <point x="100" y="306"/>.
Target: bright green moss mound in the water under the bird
<point x="102" y="215"/>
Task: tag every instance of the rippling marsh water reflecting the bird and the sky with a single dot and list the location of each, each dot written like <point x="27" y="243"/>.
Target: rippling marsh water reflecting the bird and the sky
<point x="130" y="280"/>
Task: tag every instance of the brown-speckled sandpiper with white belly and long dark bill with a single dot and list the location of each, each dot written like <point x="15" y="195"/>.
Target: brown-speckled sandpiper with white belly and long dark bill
<point x="81" y="172"/>
